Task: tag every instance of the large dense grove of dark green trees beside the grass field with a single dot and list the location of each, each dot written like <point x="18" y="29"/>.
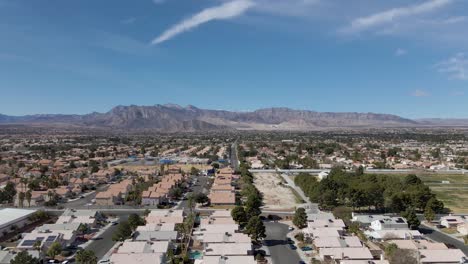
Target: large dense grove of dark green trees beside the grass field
<point x="381" y="193"/>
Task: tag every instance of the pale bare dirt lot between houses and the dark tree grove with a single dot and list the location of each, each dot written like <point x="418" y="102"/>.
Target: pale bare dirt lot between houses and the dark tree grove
<point x="275" y="196"/>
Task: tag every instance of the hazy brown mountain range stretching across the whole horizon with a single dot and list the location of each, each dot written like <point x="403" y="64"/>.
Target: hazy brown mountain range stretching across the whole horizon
<point x="175" y="118"/>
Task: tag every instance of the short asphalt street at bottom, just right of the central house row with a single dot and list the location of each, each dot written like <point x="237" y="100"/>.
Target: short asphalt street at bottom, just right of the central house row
<point x="276" y="243"/>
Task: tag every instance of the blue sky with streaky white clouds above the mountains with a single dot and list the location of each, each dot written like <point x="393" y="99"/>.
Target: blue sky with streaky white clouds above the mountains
<point x="78" y="56"/>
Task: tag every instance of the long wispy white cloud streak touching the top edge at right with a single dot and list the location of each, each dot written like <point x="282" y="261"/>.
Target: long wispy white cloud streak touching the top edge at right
<point x="392" y="15"/>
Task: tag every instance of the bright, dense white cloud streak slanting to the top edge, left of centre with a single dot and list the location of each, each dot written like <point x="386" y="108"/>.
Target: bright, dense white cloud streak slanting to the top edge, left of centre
<point x="225" y="11"/>
